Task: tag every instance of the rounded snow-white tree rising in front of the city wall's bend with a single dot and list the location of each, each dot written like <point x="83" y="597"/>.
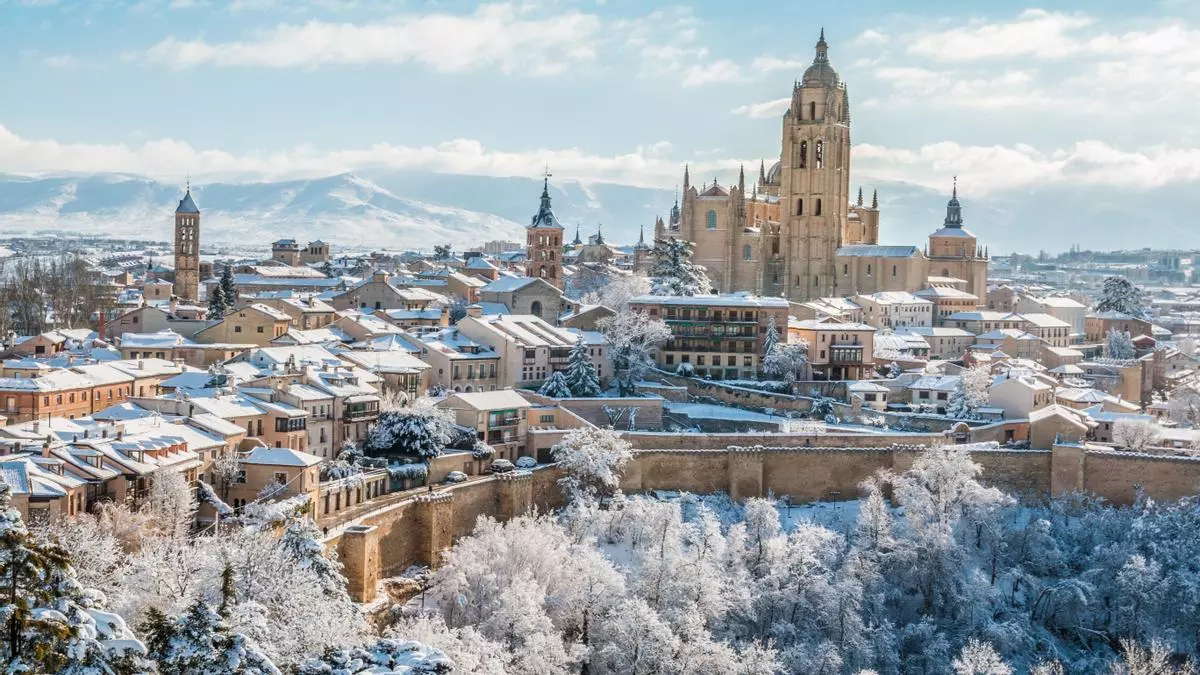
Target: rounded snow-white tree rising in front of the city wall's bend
<point x="593" y="459"/>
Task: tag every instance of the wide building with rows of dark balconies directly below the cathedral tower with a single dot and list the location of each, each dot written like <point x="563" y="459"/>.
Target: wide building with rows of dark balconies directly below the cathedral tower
<point x="722" y="337"/>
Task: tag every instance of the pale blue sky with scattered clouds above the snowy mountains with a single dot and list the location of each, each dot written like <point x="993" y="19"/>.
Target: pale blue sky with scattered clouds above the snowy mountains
<point x="1004" y="95"/>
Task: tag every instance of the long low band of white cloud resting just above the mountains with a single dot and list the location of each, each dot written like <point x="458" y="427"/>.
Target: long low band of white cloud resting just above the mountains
<point x="982" y="169"/>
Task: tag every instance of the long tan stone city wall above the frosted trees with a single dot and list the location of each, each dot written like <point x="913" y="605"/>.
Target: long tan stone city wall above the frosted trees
<point x="418" y="529"/>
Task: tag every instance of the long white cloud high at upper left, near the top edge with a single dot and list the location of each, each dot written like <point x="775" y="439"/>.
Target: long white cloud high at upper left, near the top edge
<point x="499" y="35"/>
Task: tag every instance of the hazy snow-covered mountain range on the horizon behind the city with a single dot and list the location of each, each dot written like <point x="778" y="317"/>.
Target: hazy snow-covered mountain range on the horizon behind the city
<point x="401" y="210"/>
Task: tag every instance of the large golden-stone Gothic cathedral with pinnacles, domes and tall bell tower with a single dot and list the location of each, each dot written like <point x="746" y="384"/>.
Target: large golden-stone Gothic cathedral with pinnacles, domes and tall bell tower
<point x="794" y="231"/>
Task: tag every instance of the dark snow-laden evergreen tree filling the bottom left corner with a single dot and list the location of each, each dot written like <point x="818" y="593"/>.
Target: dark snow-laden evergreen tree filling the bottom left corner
<point x="51" y="623"/>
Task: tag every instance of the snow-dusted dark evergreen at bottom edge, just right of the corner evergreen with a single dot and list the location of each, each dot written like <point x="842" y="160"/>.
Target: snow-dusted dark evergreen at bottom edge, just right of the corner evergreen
<point x="201" y="643"/>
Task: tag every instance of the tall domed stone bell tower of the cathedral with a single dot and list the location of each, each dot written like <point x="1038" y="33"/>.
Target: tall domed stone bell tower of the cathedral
<point x="815" y="180"/>
